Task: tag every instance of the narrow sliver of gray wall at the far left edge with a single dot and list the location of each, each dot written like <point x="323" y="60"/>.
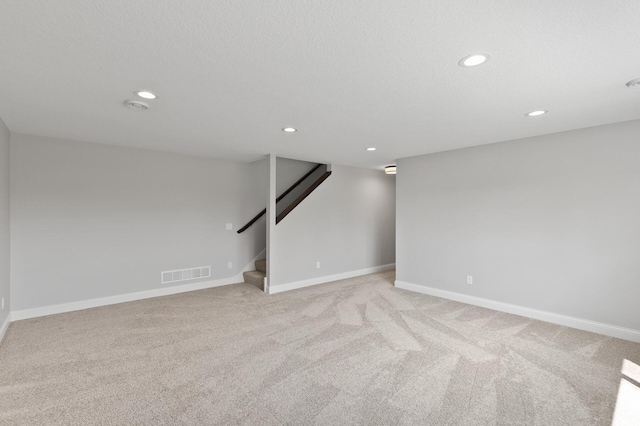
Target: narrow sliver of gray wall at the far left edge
<point x="4" y="221"/>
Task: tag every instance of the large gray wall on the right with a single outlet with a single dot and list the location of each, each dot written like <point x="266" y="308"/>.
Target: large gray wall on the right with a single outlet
<point x="550" y="222"/>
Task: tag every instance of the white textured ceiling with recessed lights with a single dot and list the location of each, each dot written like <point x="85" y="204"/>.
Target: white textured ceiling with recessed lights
<point x="348" y="74"/>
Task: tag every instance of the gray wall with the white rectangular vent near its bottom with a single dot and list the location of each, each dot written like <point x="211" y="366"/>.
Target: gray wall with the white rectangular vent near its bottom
<point x="93" y="221"/>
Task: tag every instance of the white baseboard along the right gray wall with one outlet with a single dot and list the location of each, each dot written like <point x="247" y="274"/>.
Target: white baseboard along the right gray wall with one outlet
<point x="579" y="323"/>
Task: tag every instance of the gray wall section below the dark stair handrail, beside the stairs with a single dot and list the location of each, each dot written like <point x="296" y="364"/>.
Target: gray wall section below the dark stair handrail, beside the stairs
<point x="346" y="224"/>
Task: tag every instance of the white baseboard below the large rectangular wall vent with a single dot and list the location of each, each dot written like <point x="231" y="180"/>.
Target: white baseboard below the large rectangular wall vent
<point x="129" y="297"/>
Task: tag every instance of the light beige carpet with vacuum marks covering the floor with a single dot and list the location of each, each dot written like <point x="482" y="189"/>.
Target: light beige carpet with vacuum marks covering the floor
<point x="356" y="351"/>
